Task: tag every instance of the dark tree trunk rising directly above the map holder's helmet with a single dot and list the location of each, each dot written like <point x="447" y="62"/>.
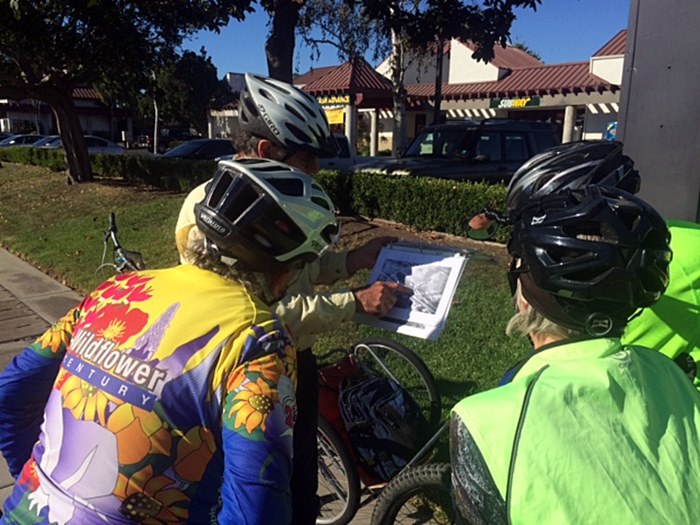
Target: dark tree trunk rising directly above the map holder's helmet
<point x="279" y="47"/>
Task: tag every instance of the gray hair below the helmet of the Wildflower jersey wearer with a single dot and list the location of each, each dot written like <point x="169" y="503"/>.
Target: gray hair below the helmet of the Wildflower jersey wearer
<point x="200" y="254"/>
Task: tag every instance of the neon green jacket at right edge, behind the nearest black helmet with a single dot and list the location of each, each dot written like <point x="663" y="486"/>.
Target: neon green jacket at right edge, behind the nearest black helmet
<point x="672" y="324"/>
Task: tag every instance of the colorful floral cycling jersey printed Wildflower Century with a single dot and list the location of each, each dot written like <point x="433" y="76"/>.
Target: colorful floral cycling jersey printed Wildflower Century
<point x="166" y="396"/>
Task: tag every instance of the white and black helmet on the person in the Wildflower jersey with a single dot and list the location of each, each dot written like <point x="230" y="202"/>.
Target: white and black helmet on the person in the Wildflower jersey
<point x="266" y="215"/>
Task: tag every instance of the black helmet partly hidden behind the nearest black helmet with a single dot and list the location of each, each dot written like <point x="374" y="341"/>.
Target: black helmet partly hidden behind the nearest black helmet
<point x="571" y="166"/>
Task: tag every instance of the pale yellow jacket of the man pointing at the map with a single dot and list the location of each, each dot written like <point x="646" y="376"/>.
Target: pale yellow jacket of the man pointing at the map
<point x="304" y="312"/>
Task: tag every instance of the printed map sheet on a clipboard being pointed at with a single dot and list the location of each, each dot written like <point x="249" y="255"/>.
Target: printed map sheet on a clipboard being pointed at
<point x="433" y="274"/>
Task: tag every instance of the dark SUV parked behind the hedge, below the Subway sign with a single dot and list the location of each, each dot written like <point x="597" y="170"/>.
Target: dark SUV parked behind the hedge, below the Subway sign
<point x="490" y="150"/>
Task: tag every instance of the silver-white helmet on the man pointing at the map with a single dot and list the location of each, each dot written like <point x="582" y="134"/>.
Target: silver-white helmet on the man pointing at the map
<point x="285" y="115"/>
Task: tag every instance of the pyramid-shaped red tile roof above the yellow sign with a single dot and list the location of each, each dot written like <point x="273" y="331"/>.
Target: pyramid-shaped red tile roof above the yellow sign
<point x="351" y="77"/>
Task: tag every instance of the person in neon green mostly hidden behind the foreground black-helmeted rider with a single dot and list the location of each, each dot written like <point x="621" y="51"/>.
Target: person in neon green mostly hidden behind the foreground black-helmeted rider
<point x="672" y="324"/>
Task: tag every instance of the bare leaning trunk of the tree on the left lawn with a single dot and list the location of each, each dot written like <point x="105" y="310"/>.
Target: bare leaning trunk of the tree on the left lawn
<point x="77" y="158"/>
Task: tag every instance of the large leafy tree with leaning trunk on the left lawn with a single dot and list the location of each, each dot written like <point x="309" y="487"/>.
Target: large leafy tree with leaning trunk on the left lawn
<point x="48" y="48"/>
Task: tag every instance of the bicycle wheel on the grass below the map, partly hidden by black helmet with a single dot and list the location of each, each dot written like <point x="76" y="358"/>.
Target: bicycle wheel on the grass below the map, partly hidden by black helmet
<point x="402" y="365"/>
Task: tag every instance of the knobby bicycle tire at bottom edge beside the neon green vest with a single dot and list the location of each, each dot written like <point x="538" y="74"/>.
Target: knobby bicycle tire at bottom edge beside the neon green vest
<point x="418" y="495"/>
